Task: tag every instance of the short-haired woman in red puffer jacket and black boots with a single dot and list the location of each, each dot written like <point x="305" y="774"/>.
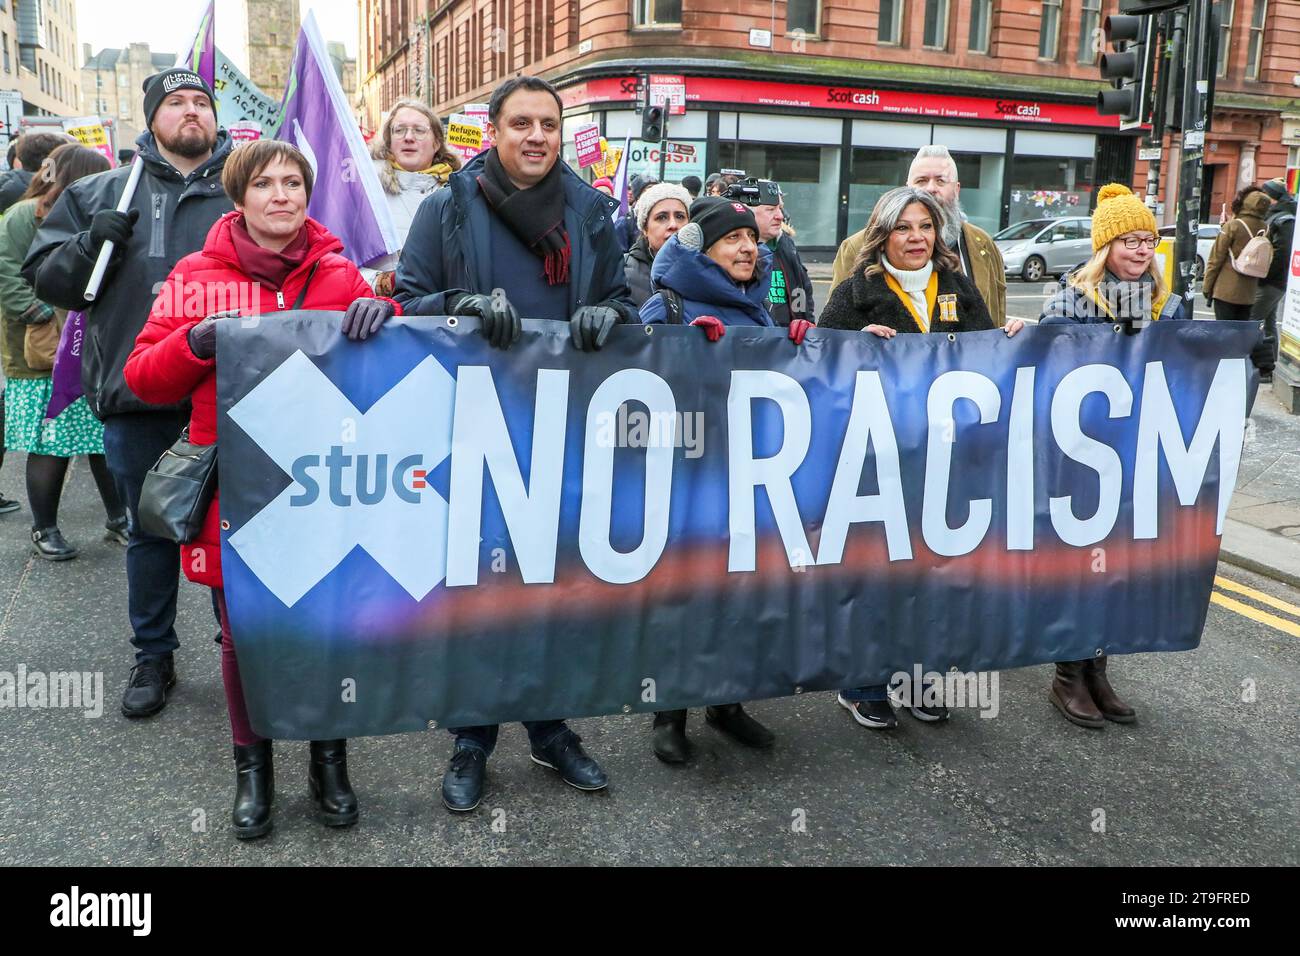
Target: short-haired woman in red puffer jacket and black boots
<point x="266" y="258"/>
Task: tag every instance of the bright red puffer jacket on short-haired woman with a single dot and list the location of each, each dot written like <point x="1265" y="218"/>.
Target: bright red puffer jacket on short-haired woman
<point x="162" y="369"/>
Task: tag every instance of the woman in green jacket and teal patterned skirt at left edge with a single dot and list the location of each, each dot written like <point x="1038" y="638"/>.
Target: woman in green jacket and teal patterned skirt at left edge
<point x="31" y="341"/>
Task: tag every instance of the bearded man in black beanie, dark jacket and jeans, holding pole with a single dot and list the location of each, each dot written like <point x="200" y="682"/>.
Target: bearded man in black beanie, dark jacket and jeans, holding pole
<point x="179" y="200"/>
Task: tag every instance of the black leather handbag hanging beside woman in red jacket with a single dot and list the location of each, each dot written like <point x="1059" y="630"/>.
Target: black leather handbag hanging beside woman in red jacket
<point x="179" y="491"/>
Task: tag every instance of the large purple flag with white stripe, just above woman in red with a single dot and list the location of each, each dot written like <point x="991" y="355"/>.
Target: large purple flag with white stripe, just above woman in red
<point x="348" y="198"/>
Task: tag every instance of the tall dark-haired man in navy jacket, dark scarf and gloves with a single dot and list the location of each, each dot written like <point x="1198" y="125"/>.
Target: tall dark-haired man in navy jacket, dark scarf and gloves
<point x="518" y="233"/>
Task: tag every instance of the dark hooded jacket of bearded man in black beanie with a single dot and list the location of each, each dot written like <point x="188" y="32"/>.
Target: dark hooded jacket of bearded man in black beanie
<point x="176" y="215"/>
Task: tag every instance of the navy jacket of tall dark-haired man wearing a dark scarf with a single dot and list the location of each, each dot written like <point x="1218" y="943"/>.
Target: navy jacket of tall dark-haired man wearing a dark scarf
<point x="449" y="248"/>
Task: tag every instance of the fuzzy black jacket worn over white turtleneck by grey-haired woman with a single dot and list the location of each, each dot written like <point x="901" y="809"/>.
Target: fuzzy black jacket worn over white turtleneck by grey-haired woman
<point x="863" y="301"/>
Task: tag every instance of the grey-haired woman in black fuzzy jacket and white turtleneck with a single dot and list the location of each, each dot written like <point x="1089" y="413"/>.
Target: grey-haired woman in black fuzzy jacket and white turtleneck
<point x="904" y="280"/>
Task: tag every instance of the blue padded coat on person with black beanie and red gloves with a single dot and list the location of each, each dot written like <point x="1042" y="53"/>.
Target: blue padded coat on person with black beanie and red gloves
<point x="705" y="289"/>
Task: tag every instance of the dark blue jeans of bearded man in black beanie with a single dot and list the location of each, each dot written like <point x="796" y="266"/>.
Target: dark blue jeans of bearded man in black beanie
<point x="133" y="443"/>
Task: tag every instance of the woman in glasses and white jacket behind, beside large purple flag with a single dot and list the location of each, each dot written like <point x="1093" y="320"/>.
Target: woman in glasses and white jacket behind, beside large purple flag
<point x="411" y="161"/>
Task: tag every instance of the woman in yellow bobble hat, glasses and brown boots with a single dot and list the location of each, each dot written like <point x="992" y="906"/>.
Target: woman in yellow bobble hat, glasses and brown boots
<point x="1120" y="284"/>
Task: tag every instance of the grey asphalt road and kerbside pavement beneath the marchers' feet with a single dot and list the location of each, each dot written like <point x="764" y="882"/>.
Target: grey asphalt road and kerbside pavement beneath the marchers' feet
<point x="1206" y="777"/>
